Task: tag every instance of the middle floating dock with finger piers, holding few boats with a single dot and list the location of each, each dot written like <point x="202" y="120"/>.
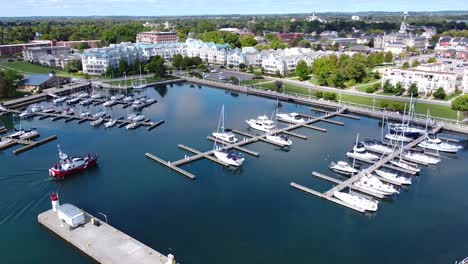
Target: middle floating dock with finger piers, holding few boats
<point x="249" y="138"/>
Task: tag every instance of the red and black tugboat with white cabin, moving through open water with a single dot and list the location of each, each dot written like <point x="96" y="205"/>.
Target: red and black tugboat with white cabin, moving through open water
<point x="70" y="165"/>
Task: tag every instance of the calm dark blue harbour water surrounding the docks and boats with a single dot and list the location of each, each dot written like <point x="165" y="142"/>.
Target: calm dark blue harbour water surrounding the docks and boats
<point x="248" y="215"/>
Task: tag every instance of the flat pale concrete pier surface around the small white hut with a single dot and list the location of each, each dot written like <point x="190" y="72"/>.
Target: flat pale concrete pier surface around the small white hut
<point x="103" y="243"/>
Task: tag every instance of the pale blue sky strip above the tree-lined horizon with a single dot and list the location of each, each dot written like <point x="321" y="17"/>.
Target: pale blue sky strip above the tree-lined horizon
<point x="201" y="7"/>
